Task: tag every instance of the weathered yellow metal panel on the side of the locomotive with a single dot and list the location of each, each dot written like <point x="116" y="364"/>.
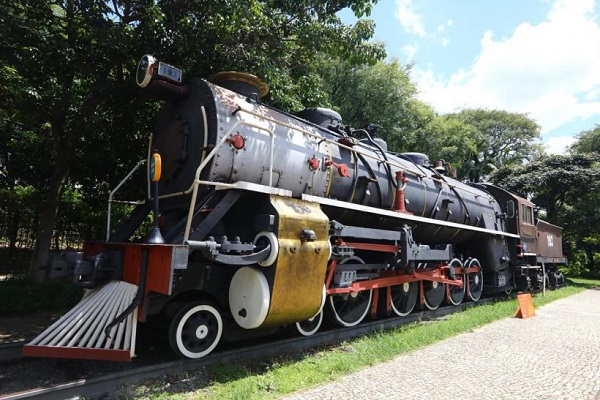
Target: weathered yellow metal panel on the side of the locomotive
<point x="301" y="266"/>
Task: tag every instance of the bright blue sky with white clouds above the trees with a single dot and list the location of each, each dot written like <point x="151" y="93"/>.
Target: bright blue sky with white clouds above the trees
<point x="538" y="57"/>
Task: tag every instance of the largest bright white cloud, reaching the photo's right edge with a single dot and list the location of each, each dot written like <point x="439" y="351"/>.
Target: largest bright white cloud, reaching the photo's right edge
<point x="551" y="70"/>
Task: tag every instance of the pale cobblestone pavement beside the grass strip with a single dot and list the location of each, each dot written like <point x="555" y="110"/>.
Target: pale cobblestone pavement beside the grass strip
<point x="553" y="355"/>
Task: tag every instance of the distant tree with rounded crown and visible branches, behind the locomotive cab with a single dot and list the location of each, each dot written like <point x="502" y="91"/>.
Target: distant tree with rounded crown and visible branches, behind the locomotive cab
<point x="499" y="137"/>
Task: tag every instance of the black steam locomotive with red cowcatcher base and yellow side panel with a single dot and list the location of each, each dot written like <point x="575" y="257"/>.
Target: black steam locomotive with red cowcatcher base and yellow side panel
<point x="263" y="219"/>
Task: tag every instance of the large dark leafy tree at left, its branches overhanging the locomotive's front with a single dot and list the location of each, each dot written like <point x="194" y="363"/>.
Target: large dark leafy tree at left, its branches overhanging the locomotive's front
<point x="68" y="70"/>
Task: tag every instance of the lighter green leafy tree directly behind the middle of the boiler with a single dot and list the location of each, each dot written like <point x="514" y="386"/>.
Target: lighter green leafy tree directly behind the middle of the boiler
<point x="383" y="94"/>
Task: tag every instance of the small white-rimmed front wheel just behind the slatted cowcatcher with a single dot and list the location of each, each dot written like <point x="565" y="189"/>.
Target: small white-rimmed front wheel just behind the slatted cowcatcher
<point x="195" y="330"/>
